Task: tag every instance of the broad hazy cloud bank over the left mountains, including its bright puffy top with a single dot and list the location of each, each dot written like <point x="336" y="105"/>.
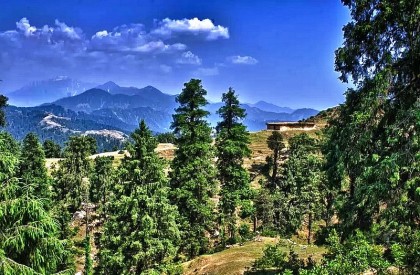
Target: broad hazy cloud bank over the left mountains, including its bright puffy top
<point x="58" y="48"/>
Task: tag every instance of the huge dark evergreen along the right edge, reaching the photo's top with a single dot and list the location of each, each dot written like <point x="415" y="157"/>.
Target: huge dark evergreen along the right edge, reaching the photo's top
<point x="375" y="136"/>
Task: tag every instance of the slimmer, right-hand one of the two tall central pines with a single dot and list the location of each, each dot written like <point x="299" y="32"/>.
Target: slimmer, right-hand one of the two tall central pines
<point x="232" y="147"/>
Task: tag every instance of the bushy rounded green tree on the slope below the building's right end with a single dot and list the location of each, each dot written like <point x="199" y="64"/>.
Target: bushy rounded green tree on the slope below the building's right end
<point x="301" y="189"/>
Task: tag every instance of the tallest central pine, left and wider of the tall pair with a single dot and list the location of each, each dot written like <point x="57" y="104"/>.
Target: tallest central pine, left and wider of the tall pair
<point x="193" y="173"/>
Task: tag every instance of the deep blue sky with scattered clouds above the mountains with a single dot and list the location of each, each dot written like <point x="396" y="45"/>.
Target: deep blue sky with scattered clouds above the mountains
<point x="278" y="51"/>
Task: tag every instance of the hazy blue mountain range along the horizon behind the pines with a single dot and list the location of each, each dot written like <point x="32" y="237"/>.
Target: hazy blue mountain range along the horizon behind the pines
<point x="110" y="112"/>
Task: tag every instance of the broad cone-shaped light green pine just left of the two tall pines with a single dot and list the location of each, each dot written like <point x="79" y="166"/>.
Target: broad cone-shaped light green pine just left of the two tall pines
<point x="140" y="234"/>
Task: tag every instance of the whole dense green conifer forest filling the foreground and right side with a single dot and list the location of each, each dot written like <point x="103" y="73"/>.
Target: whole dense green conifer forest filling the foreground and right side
<point x="354" y="188"/>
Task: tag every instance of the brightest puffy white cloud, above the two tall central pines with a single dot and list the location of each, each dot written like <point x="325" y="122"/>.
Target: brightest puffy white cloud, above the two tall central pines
<point x="168" y="27"/>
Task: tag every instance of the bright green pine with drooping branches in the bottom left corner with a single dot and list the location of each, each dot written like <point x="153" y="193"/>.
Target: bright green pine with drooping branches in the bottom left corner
<point x="29" y="242"/>
